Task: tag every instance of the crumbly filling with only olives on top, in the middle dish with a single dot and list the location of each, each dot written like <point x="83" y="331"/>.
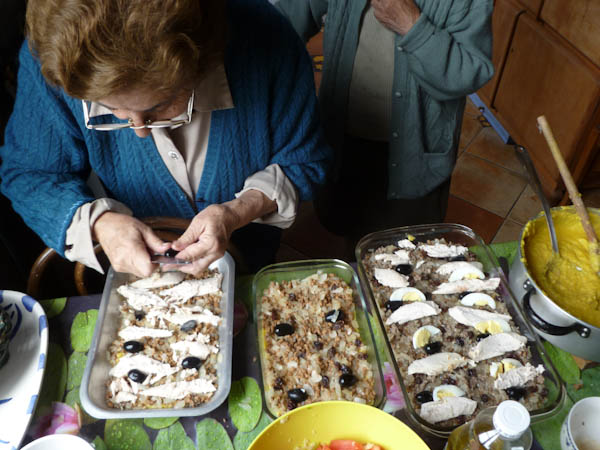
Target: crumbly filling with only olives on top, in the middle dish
<point x="313" y="349"/>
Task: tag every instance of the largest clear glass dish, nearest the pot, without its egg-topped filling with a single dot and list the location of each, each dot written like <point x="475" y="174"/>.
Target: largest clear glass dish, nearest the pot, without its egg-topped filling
<point x="459" y="234"/>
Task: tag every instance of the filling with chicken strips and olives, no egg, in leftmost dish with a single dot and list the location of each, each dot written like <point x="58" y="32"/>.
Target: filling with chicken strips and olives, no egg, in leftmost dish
<point x="167" y="349"/>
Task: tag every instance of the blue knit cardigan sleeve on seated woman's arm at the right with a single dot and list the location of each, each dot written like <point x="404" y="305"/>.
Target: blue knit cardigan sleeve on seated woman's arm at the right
<point x="299" y="146"/>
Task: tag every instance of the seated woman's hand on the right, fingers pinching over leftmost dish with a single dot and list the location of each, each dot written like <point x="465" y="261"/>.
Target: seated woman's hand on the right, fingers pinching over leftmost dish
<point x="206" y="238"/>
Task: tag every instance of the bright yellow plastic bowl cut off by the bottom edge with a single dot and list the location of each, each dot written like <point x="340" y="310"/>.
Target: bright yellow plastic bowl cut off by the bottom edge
<point x="324" y="421"/>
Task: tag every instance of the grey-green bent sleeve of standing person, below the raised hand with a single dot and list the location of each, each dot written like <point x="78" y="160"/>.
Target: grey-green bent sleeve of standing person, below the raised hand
<point x="455" y="60"/>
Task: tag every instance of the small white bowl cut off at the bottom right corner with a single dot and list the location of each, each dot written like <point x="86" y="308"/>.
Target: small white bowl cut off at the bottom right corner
<point x="581" y="428"/>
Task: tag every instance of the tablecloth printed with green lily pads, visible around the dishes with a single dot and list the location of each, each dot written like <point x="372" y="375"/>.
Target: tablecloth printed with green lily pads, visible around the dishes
<point x="71" y="323"/>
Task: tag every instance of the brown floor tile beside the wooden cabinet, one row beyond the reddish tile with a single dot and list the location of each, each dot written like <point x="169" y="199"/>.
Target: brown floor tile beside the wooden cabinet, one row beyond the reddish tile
<point x="486" y="185"/>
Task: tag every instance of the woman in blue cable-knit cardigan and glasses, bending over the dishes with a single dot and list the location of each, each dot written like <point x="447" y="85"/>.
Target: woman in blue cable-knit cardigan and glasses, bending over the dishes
<point x="201" y="109"/>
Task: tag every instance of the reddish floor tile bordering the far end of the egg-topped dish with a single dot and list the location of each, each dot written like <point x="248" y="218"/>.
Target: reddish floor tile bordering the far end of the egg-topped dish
<point x="484" y="223"/>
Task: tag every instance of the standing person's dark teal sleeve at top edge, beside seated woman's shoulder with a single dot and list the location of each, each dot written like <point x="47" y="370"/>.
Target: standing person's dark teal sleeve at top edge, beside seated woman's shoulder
<point x="306" y="16"/>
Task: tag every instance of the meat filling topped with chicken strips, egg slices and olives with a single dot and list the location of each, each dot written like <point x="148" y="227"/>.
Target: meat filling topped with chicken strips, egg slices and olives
<point x="457" y="347"/>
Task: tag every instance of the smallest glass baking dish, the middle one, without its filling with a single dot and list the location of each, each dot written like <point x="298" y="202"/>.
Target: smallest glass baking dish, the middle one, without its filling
<point x="298" y="270"/>
